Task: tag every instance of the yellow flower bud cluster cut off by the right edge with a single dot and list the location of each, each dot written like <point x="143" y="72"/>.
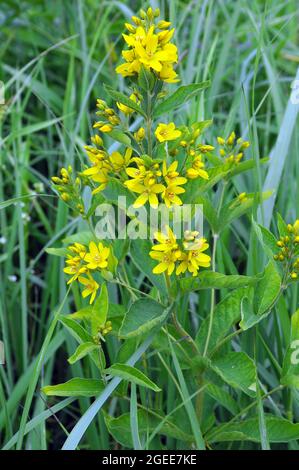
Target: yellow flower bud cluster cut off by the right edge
<point x="289" y="249"/>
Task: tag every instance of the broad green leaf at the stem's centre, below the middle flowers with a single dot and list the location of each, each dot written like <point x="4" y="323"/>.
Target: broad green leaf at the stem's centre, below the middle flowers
<point x="142" y="316"/>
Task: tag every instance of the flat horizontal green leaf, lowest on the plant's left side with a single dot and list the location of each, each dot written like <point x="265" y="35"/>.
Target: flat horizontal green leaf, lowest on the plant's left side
<point x="75" y="387"/>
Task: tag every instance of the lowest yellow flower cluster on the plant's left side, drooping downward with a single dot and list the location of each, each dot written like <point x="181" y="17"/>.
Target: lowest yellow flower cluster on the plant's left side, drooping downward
<point x="82" y="262"/>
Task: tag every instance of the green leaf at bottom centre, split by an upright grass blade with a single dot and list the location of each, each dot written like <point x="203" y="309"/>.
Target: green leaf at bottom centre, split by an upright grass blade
<point x="120" y="428"/>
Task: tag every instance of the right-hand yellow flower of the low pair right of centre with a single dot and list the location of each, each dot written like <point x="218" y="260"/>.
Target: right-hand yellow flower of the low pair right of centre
<point x="194" y="258"/>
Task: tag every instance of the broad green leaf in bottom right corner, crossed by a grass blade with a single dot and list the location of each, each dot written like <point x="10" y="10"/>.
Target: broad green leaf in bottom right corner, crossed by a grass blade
<point x="278" y="429"/>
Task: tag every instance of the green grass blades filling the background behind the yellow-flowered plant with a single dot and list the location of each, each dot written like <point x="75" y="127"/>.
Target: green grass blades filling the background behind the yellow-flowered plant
<point x="55" y="58"/>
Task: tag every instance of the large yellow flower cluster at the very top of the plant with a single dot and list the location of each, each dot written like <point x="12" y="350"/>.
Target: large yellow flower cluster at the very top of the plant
<point x="149" y="46"/>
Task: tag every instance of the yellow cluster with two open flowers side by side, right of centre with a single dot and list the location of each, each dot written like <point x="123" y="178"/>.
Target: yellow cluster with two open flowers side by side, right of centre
<point x="173" y="257"/>
